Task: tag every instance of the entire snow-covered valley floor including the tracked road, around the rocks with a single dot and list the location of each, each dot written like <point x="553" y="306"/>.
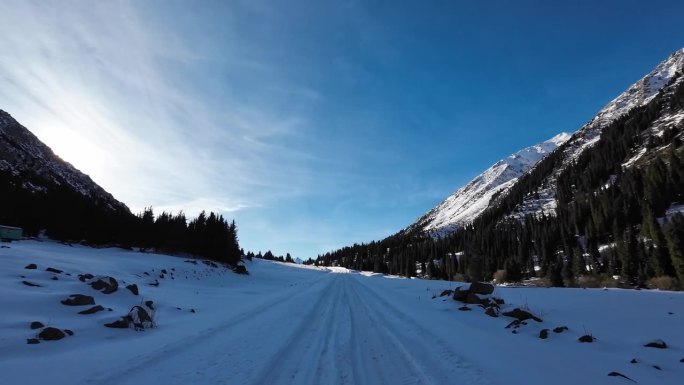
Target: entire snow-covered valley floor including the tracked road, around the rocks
<point x="288" y="323"/>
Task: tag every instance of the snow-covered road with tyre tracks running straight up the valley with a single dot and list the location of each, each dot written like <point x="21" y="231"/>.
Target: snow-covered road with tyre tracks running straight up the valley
<point x="338" y="331"/>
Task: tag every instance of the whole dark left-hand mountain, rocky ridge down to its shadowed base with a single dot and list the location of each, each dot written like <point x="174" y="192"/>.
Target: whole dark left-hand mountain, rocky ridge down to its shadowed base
<point x="41" y="191"/>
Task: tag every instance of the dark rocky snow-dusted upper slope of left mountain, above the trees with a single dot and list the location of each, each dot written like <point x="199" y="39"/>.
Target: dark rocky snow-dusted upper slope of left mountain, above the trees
<point x="27" y="159"/>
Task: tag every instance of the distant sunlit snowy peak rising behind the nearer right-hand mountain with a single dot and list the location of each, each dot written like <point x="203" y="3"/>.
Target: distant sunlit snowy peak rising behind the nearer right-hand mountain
<point x="472" y="199"/>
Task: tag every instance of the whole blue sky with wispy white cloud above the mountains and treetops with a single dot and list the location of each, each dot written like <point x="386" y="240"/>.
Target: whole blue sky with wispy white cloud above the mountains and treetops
<point x="315" y="124"/>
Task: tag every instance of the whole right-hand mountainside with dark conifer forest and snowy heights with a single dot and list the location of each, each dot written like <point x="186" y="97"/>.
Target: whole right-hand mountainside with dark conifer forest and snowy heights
<point x="606" y="203"/>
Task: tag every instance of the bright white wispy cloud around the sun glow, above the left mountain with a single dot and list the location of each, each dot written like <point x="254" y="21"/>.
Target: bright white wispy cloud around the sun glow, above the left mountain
<point x="125" y="97"/>
